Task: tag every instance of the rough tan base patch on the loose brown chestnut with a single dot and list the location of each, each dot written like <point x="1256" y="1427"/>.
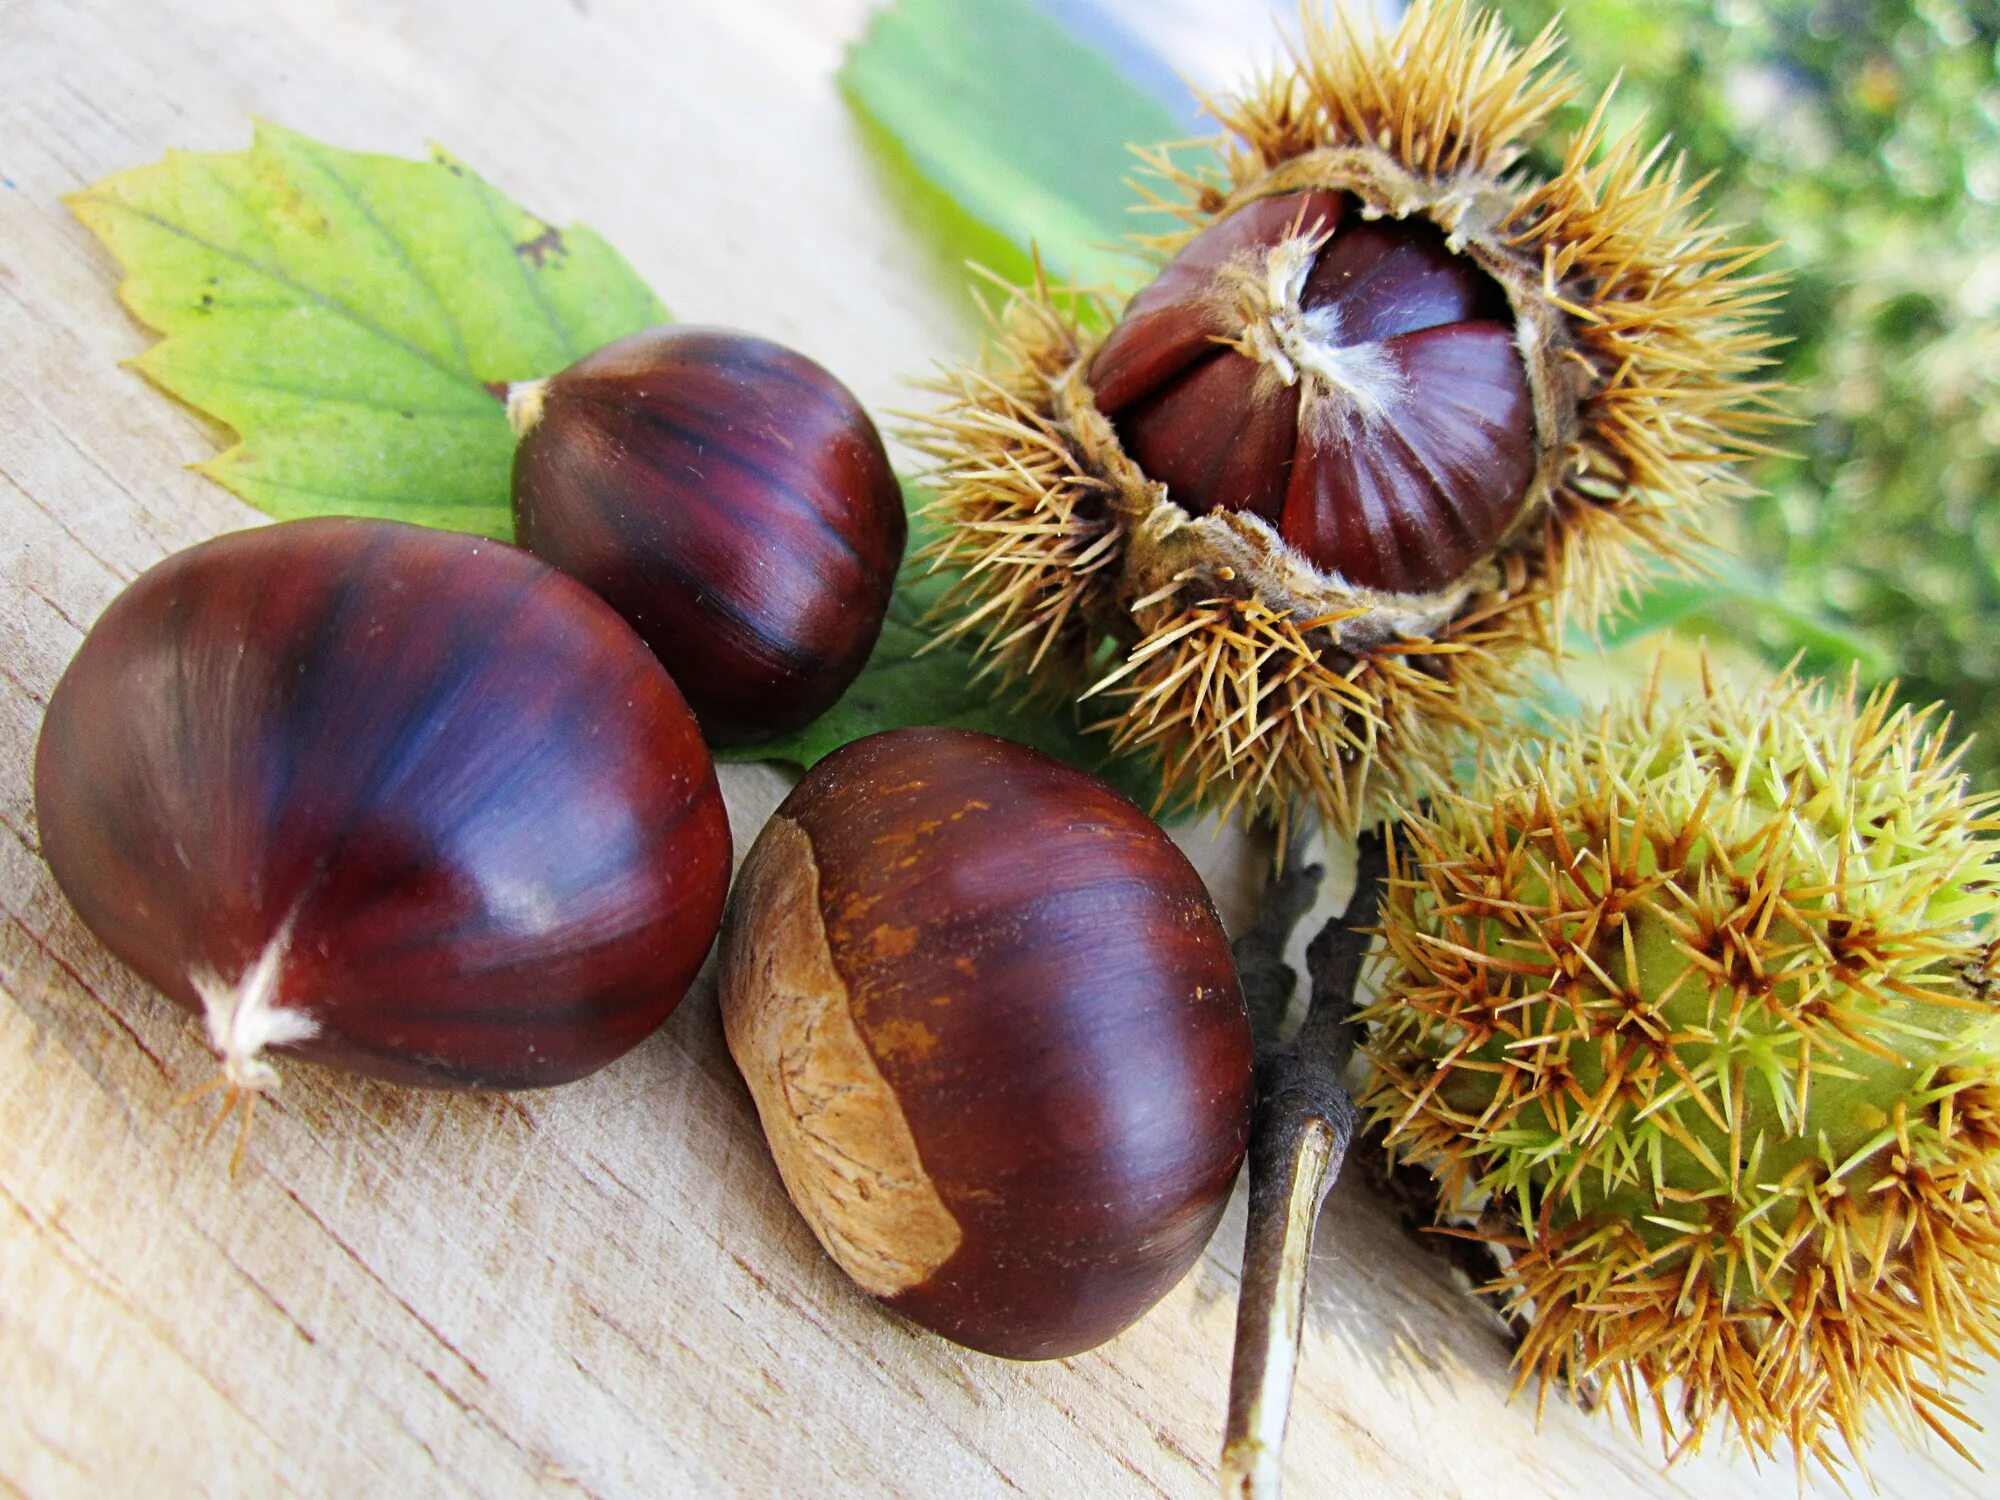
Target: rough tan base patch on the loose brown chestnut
<point x="833" y="1121"/>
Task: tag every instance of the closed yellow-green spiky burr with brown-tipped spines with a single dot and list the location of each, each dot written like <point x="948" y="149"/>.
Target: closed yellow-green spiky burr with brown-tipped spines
<point x="1693" y="1015"/>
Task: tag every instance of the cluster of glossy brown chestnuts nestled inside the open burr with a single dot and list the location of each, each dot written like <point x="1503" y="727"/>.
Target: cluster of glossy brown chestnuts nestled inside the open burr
<point x="1349" y="379"/>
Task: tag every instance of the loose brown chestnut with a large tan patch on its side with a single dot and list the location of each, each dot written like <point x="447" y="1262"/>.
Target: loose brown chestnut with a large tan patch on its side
<point x="995" y="1035"/>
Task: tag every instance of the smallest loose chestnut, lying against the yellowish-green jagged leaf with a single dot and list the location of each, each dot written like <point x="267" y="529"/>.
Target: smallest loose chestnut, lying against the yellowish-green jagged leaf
<point x="731" y="501"/>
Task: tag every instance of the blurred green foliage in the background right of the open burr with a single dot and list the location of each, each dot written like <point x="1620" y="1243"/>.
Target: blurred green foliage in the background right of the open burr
<point x="1863" y="139"/>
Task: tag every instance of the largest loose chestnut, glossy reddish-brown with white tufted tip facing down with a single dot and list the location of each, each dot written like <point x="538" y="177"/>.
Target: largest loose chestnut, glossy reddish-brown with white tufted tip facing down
<point x="393" y="799"/>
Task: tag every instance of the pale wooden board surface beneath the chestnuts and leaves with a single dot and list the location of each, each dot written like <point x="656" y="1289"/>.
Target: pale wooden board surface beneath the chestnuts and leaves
<point x="597" y="1291"/>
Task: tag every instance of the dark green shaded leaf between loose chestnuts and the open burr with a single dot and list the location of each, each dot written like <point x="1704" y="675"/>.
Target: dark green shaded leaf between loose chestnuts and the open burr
<point x="913" y="679"/>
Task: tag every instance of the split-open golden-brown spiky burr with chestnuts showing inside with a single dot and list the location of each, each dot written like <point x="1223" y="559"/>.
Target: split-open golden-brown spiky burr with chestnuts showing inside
<point x="1387" y="411"/>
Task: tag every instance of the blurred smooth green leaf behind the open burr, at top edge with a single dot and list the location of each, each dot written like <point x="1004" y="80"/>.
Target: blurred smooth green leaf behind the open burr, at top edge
<point x="1017" y="123"/>
